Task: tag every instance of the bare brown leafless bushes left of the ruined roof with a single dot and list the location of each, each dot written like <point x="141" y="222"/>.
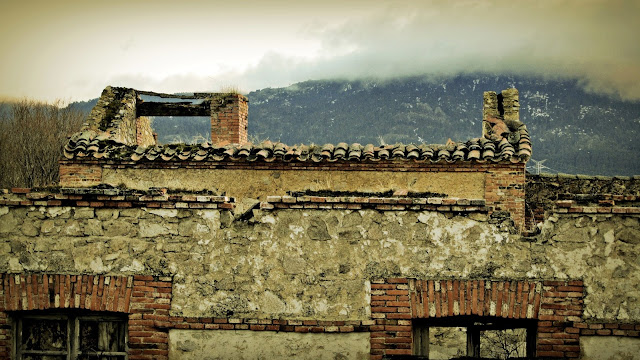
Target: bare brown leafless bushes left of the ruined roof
<point x="32" y="135"/>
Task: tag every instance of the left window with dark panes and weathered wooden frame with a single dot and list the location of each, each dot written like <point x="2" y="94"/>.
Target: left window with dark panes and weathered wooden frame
<point x="70" y="336"/>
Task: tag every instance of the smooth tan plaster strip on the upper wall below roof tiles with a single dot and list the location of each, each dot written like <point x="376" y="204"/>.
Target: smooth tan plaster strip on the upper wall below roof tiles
<point x="260" y="183"/>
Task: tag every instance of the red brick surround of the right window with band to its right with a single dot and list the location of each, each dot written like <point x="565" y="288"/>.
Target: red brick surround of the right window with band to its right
<point x="557" y="305"/>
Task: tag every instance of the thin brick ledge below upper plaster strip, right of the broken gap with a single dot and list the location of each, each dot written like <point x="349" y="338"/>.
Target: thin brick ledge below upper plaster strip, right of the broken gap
<point x="376" y="203"/>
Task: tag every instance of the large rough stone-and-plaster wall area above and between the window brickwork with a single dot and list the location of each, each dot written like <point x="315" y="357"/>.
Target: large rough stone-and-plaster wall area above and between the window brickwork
<point x="312" y="264"/>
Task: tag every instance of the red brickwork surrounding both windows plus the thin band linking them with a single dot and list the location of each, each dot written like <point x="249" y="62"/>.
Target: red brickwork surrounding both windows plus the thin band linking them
<point x="395" y="303"/>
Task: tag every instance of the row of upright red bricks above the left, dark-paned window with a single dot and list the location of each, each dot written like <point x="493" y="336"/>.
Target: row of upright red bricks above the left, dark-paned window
<point x="46" y="291"/>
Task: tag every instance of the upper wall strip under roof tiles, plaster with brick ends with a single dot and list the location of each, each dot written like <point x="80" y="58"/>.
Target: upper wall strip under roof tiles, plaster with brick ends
<point x="500" y="184"/>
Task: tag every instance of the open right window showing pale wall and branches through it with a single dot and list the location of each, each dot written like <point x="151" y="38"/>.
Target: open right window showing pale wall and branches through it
<point x="474" y="337"/>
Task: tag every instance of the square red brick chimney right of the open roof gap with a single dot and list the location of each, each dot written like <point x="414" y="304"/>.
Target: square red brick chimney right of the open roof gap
<point x="229" y="119"/>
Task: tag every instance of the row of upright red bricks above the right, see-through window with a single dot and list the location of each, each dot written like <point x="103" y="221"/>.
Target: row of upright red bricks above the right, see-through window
<point x="498" y="298"/>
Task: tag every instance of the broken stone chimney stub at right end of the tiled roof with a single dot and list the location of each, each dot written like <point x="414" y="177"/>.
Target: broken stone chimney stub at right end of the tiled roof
<point x="503" y="106"/>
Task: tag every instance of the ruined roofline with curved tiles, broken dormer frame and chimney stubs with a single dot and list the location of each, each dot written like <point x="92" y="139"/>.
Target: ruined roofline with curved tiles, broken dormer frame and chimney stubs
<point x="502" y="140"/>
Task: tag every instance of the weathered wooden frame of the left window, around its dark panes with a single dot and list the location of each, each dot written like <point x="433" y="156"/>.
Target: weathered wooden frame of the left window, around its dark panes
<point x="73" y="320"/>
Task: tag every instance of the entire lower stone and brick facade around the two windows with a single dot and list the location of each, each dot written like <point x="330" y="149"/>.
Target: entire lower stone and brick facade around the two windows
<point x="315" y="266"/>
